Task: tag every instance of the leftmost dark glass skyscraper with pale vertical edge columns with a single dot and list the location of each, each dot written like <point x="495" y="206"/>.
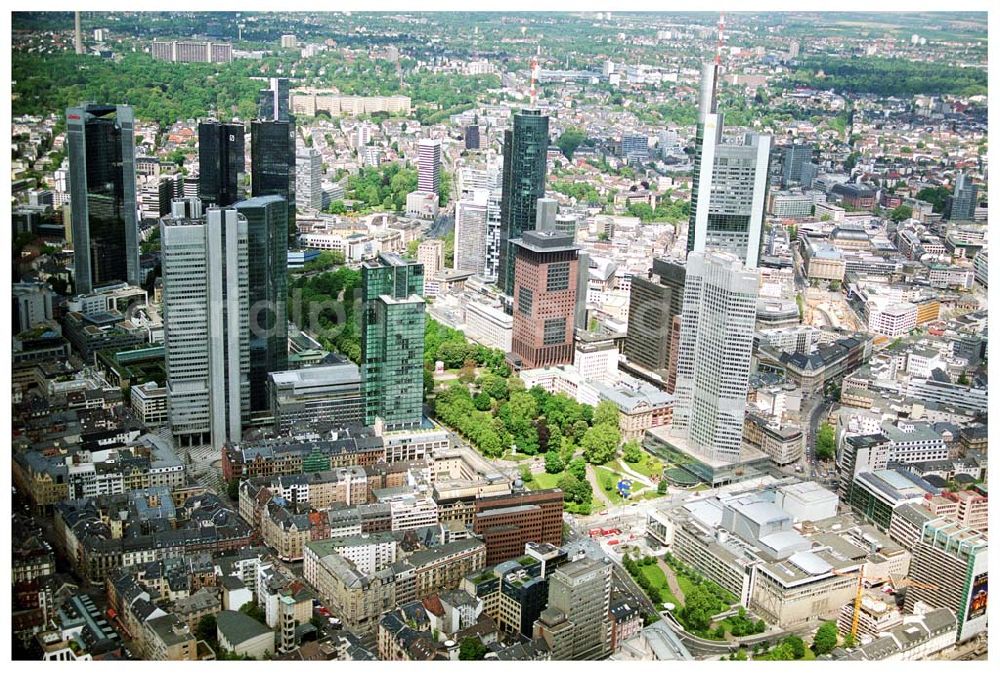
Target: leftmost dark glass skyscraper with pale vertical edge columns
<point x="101" y="145"/>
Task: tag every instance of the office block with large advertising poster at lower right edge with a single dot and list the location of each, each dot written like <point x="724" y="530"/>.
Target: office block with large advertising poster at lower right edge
<point x="951" y="565"/>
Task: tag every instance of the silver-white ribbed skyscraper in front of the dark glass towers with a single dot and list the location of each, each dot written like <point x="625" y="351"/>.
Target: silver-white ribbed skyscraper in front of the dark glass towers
<point x="206" y="308"/>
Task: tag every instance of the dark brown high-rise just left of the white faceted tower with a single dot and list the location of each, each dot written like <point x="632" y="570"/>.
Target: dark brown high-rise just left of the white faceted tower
<point x="653" y="303"/>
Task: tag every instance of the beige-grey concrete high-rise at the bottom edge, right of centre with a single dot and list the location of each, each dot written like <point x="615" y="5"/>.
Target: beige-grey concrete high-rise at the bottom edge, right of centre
<point x="576" y="625"/>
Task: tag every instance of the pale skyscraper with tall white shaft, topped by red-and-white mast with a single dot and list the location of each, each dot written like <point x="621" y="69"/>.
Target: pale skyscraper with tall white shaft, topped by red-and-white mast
<point x="730" y="183"/>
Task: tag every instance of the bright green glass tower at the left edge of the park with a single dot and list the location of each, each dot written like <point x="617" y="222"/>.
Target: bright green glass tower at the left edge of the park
<point x="392" y="341"/>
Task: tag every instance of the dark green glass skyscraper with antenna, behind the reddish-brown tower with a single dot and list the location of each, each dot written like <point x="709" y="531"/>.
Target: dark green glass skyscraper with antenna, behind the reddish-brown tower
<point x="524" y="157"/>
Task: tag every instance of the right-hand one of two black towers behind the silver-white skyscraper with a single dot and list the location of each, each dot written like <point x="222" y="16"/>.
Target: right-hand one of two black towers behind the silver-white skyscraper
<point x="272" y="161"/>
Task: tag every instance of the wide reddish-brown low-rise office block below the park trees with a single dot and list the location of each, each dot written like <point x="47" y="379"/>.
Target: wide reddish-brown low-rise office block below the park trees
<point x="507" y="522"/>
